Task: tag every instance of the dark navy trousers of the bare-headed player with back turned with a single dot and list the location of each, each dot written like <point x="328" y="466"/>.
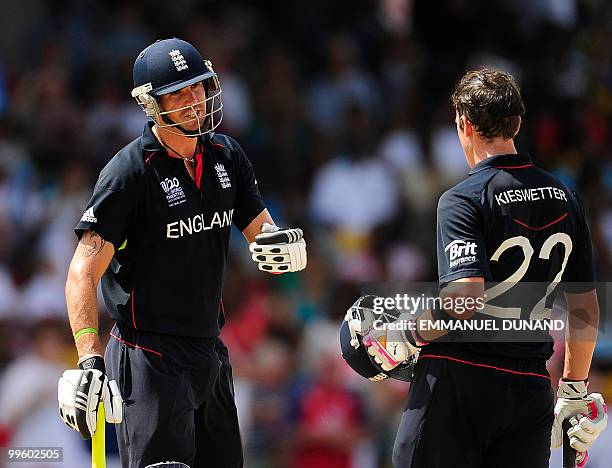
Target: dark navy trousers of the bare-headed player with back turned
<point x="460" y="415"/>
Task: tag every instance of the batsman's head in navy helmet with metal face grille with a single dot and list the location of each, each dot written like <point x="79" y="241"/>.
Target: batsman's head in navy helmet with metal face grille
<point x="177" y="88"/>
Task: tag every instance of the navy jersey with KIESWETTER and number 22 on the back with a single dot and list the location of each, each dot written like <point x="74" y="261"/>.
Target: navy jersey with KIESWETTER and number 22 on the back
<point x="515" y="224"/>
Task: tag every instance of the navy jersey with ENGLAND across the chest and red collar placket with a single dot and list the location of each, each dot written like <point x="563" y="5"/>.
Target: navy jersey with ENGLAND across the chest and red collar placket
<point x="170" y="232"/>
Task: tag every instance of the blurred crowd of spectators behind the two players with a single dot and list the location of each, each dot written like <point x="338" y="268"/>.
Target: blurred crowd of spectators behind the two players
<point x="343" y="109"/>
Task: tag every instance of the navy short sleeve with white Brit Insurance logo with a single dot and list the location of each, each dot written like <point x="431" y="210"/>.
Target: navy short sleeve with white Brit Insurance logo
<point x="460" y="237"/>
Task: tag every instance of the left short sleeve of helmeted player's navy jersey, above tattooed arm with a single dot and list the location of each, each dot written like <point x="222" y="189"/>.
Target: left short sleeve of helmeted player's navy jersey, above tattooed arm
<point x="110" y="210"/>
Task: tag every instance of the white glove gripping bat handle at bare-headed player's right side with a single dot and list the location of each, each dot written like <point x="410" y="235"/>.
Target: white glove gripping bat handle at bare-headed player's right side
<point x="587" y="415"/>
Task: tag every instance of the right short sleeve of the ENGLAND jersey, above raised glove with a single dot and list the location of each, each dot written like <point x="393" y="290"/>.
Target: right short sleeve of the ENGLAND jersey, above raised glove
<point x="248" y="199"/>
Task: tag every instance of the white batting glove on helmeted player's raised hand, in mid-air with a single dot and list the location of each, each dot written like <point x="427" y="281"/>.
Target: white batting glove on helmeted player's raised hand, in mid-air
<point x="279" y="250"/>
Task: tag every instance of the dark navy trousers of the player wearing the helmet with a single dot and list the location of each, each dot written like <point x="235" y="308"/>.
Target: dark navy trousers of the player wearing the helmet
<point x="179" y="400"/>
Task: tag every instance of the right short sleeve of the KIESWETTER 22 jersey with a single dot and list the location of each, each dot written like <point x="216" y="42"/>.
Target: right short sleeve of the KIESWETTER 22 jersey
<point x="578" y="276"/>
